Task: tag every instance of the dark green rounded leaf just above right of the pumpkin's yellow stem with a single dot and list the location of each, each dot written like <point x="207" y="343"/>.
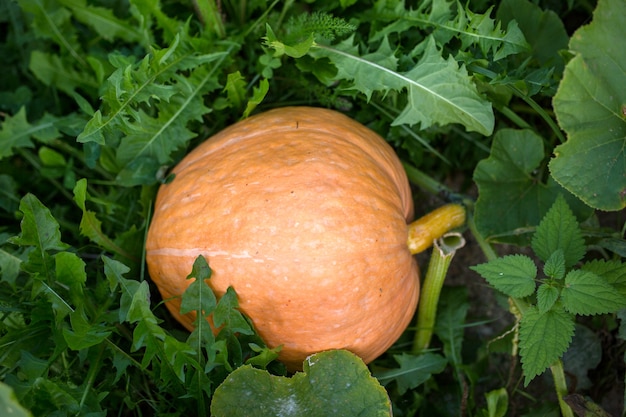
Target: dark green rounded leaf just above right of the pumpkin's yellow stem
<point x="512" y="200"/>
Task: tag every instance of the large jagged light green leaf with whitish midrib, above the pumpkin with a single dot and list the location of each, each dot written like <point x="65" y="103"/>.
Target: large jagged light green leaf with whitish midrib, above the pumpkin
<point x="439" y="91"/>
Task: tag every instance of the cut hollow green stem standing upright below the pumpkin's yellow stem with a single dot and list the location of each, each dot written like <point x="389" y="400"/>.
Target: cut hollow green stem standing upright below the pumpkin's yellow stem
<point x="442" y="255"/>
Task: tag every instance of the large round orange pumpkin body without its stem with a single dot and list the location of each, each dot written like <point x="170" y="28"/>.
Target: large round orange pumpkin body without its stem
<point x="304" y="212"/>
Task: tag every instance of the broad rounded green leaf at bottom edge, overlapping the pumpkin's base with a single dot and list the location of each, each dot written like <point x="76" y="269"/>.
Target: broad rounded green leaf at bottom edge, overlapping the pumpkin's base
<point x="332" y="383"/>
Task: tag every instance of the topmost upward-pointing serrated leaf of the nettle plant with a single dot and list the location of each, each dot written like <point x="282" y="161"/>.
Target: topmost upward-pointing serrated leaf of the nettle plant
<point x="559" y="230"/>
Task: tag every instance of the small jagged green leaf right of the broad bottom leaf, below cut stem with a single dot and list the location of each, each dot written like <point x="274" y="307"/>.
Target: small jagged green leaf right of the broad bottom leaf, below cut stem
<point x="413" y="371"/>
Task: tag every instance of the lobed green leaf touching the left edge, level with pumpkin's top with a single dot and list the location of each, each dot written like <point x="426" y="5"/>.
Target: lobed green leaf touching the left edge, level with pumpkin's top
<point x="16" y="132"/>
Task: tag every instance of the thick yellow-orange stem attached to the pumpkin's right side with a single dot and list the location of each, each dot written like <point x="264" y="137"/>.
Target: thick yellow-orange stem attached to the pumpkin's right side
<point x="425" y="230"/>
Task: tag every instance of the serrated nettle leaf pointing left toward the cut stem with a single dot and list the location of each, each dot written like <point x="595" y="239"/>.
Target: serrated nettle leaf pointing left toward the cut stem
<point x="514" y="275"/>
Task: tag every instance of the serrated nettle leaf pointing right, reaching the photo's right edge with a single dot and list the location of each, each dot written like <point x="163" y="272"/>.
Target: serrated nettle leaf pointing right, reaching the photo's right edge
<point x="586" y="293"/>
